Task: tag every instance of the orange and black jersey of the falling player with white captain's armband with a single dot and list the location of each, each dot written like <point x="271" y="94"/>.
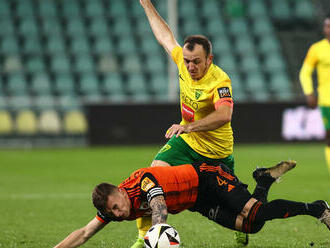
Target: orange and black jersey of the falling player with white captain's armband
<point x="178" y="185"/>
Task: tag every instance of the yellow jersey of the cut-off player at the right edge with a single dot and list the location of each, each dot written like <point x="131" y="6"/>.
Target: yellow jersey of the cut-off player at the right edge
<point x="318" y="56"/>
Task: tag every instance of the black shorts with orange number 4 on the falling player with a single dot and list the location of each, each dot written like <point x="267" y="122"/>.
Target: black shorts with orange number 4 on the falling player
<point x="219" y="191"/>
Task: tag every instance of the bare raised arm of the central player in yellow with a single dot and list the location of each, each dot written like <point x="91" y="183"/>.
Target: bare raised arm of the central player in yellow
<point x="159" y="27"/>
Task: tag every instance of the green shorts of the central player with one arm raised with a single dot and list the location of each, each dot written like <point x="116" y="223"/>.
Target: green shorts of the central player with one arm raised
<point x="176" y="152"/>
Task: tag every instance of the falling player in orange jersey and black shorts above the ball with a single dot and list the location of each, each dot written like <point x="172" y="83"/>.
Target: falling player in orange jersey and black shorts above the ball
<point x="212" y="190"/>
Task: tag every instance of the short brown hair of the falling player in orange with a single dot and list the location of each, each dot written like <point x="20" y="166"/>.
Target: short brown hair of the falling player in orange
<point x="100" y="195"/>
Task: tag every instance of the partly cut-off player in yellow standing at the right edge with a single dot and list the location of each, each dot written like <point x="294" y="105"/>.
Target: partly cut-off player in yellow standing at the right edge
<point x="319" y="56"/>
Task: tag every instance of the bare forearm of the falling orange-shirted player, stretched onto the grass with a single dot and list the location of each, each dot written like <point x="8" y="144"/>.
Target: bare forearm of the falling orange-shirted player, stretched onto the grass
<point x="81" y="235"/>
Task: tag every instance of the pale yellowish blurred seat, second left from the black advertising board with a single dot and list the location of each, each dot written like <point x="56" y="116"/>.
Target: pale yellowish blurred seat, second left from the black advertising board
<point x="49" y="122"/>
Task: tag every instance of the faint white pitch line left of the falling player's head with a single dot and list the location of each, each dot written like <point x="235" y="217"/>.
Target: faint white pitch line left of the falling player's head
<point x="36" y="196"/>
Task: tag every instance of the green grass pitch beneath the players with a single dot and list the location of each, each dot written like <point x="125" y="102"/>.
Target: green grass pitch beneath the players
<point x="45" y="194"/>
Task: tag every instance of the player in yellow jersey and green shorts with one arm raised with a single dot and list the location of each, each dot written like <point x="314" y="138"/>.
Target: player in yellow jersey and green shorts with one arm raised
<point x="205" y="132"/>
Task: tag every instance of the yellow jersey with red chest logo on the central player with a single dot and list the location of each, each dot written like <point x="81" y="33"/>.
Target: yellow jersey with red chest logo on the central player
<point x="200" y="98"/>
